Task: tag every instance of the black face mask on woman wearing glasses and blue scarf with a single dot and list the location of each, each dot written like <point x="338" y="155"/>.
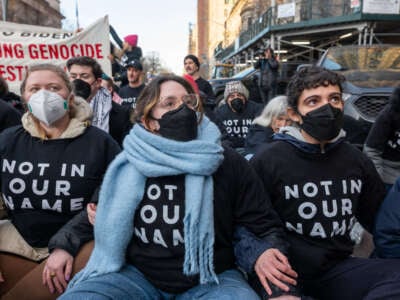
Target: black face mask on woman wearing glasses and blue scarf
<point x="179" y="124"/>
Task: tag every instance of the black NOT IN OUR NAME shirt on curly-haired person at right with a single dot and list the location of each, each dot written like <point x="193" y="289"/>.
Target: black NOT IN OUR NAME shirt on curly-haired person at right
<point x="318" y="197"/>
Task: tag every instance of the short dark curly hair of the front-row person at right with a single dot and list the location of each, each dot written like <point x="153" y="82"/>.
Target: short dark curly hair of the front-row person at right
<point x="310" y="78"/>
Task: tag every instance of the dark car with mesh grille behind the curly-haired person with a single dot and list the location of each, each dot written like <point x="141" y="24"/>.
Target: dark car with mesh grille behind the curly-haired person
<point x="371" y="72"/>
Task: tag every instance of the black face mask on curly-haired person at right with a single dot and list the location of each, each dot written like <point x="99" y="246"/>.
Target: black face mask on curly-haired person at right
<point x="323" y="123"/>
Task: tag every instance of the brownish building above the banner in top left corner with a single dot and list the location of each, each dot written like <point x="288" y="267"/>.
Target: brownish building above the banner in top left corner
<point x="33" y="12"/>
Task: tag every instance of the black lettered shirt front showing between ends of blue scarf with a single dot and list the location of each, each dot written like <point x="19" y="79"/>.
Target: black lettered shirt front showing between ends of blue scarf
<point x="158" y="233"/>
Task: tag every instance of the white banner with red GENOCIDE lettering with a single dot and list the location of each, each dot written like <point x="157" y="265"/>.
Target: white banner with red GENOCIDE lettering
<point x="22" y="45"/>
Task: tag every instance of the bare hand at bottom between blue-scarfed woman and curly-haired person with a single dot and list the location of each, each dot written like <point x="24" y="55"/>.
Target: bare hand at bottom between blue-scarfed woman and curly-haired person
<point x="273" y="267"/>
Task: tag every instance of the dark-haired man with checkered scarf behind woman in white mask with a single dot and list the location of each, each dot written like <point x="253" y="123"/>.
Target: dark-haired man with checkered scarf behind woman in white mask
<point x="107" y="115"/>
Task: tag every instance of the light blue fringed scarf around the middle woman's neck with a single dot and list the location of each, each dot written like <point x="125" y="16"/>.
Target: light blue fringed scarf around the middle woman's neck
<point x="148" y="155"/>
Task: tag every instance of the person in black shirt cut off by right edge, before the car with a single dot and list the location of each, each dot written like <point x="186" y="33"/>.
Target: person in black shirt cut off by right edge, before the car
<point x="382" y="144"/>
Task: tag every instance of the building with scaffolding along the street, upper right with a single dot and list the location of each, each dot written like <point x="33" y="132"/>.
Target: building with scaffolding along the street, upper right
<point x="299" y="30"/>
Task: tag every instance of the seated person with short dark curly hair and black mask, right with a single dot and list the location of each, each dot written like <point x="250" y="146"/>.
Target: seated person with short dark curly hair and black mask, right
<point x="319" y="185"/>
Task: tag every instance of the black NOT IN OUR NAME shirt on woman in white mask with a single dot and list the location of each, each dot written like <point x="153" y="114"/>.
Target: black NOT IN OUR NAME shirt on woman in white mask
<point x="44" y="183"/>
